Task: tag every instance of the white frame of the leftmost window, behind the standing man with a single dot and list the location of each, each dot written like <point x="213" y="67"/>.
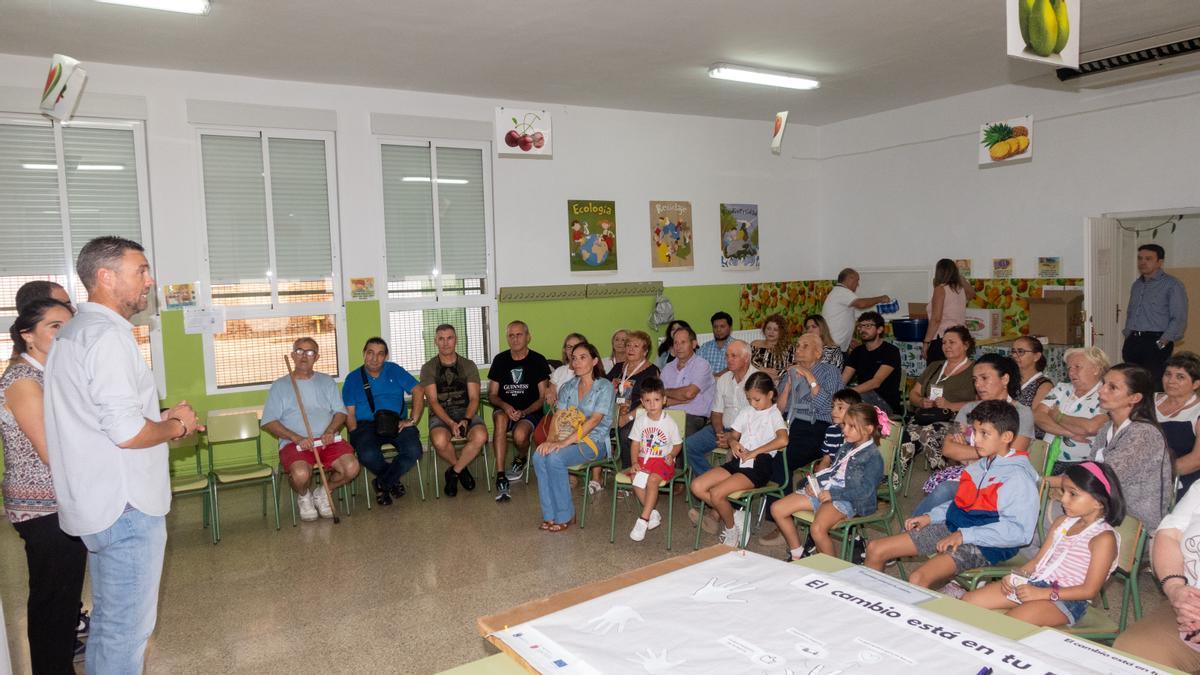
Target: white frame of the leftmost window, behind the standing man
<point x="142" y="175"/>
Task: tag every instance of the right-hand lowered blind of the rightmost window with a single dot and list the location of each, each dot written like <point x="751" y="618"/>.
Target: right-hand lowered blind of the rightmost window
<point x="461" y="214"/>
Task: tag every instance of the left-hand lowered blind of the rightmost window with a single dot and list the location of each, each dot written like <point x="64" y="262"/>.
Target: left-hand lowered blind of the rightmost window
<point x="409" y="211"/>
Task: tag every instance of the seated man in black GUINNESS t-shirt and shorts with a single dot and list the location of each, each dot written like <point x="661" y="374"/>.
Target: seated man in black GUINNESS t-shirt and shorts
<point x="517" y="387"/>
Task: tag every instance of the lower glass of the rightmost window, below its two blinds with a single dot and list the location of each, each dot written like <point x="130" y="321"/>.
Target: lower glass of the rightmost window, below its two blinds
<point x="412" y="336"/>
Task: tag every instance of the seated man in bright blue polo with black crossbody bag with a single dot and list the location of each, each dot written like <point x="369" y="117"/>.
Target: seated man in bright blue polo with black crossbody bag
<point x="375" y="405"/>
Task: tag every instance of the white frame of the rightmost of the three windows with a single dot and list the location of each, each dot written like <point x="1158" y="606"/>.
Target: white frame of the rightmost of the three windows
<point x="440" y="301"/>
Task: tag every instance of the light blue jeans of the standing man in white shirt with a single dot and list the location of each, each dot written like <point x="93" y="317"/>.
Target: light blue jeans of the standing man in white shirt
<point x="125" y="563"/>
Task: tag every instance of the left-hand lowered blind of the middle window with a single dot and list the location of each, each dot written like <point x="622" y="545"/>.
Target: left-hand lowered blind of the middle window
<point x="236" y="208"/>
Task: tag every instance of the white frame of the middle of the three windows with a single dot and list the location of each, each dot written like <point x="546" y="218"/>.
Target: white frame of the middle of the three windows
<point x="275" y="309"/>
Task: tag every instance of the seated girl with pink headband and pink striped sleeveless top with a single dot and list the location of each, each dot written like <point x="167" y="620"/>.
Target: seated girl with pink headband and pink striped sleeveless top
<point x="1055" y="588"/>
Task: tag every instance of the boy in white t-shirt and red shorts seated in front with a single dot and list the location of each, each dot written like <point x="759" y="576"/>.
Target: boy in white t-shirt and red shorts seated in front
<point x="656" y="441"/>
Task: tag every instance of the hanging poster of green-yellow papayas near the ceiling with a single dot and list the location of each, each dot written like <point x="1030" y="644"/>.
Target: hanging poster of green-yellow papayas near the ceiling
<point x="1045" y="31"/>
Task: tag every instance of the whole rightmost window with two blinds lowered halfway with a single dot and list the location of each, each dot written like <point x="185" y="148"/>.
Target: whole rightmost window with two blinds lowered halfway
<point x="439" y="228"/>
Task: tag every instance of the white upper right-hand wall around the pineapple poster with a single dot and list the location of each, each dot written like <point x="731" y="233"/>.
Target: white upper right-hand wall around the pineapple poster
<point x="903" y="188"/>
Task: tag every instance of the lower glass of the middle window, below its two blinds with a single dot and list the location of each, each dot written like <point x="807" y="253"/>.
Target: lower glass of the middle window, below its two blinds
<point x="251" y="350"/>
